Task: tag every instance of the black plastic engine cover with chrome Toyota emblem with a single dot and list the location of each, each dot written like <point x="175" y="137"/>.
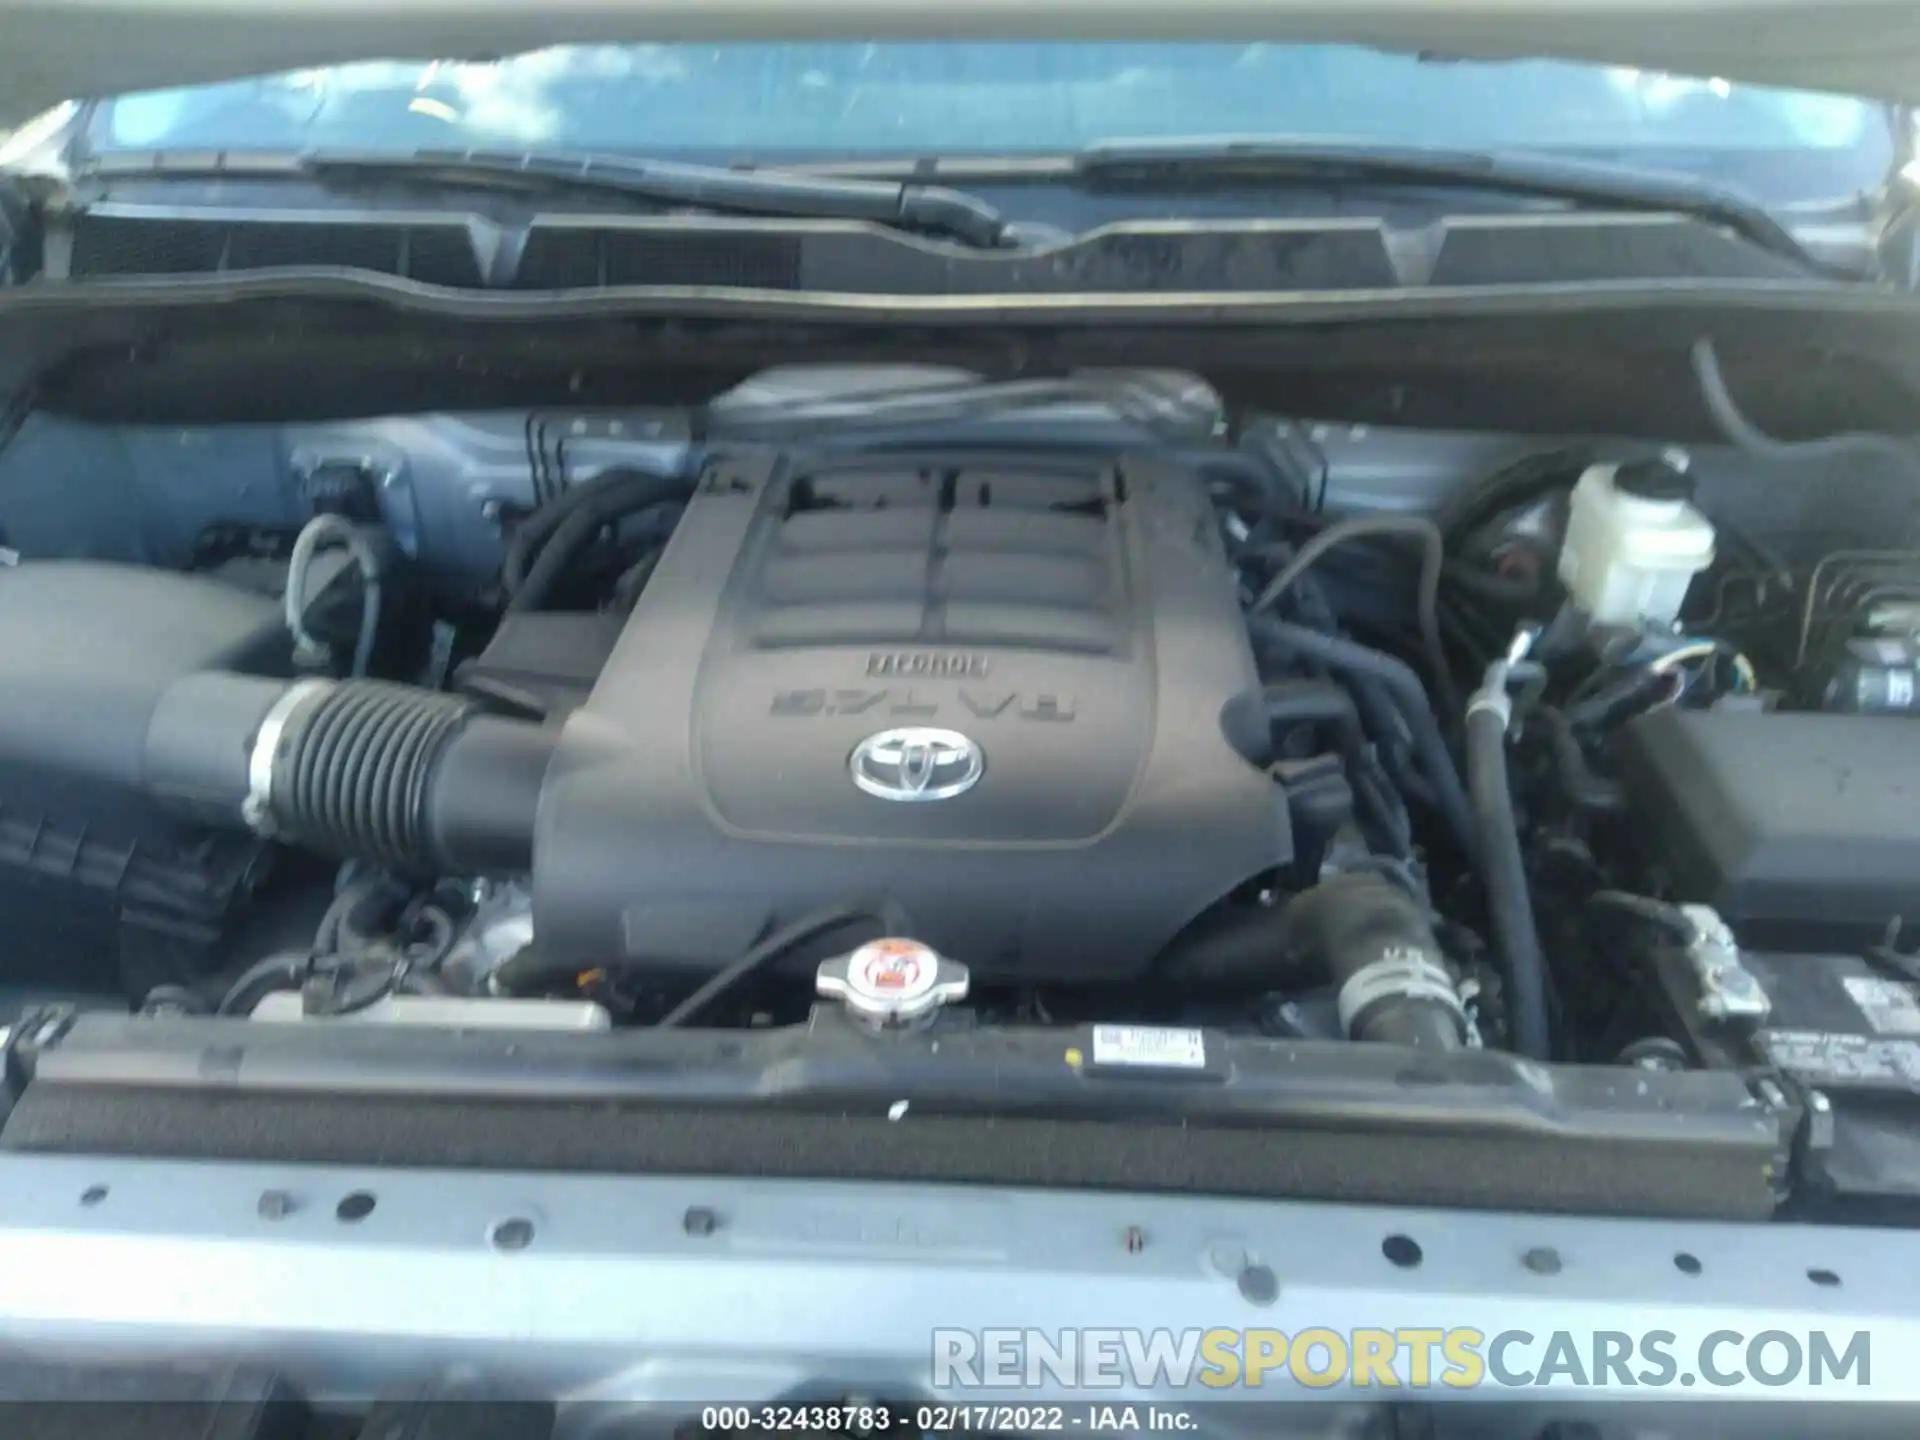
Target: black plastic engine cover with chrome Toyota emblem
<point x="1068" y="623"/>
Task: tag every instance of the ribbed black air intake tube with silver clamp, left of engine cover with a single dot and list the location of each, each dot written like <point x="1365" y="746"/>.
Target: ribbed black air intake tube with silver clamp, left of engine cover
<point x="362" y="769"/>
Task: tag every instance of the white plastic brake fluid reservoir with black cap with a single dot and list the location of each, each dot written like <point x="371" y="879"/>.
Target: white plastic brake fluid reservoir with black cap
<point x="1633" y="544"/>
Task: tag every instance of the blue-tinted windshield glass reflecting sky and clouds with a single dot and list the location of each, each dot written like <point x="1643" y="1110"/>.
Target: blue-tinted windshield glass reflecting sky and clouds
<point x="834" y="101"/>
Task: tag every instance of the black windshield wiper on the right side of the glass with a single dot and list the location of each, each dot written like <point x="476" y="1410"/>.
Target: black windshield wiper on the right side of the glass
<point x="1184" y="164"/>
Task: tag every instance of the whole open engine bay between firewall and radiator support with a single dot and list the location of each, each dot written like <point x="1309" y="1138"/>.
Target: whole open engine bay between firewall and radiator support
<point x="1591" y="752"/>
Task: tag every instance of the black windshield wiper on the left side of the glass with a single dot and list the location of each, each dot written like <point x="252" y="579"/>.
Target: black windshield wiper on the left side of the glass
<point x="924" y="208"/>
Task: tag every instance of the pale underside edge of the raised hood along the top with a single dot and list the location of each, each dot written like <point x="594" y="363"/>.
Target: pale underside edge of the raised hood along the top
<point x="76" y="49"/>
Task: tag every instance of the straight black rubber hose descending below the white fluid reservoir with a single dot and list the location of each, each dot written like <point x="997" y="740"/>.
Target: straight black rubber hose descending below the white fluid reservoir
<point x="1508" y="901"/>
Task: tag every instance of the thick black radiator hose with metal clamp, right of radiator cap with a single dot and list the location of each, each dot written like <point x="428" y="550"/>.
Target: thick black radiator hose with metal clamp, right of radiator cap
<point x="1362" y="934"/>
